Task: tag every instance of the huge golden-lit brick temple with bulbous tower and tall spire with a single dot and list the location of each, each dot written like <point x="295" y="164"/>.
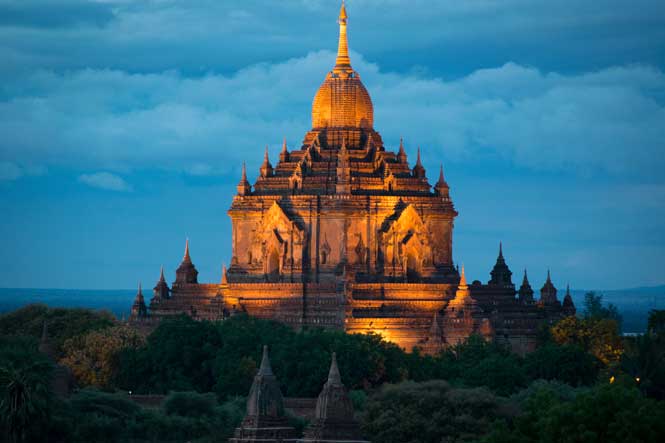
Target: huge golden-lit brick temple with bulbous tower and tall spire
<point x="345" y="233"/>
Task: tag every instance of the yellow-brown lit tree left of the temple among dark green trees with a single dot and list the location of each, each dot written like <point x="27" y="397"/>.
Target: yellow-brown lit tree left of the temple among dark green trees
<point x="94" y="357"/>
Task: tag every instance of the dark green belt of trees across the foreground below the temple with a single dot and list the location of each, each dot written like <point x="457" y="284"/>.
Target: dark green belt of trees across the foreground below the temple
<point x="584" y="383"/>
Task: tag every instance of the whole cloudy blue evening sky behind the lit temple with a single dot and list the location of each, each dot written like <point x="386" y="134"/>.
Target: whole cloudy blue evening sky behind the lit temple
<point x="124" y="124"/>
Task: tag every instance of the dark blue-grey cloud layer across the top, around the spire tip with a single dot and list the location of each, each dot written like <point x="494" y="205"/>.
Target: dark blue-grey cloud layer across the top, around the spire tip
<point x="449" y="38"/>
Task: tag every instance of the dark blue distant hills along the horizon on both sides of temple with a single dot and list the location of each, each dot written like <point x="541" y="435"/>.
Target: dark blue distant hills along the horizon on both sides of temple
<point x="634" y="304"/>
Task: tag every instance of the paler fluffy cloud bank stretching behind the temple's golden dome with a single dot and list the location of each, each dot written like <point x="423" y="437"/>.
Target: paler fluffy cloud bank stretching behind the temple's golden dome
<point x="610" y="121"/>
